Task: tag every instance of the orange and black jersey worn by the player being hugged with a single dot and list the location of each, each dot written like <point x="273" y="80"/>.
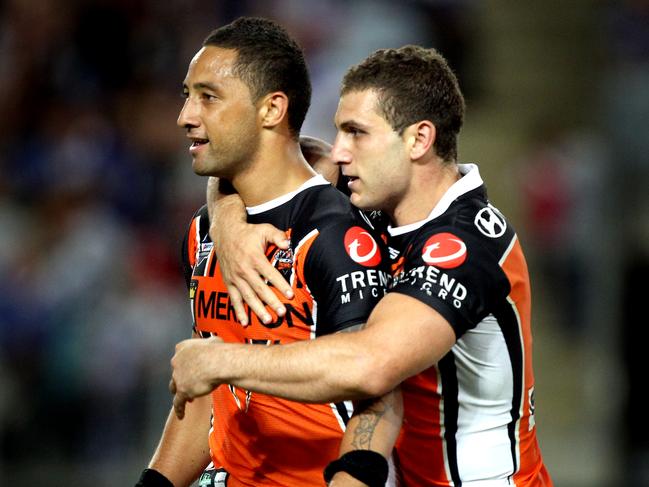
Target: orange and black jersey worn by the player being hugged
<point x="338" y="272"/>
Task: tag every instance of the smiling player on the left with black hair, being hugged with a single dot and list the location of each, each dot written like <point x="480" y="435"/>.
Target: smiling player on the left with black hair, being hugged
<point x="247" y="92"/>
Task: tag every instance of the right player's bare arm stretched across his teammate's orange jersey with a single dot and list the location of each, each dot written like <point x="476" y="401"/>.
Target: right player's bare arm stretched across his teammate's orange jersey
<point x="403" y="337"/>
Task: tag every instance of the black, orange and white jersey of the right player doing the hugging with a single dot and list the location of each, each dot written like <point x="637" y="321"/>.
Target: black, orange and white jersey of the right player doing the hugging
<point x="469" y="420"/>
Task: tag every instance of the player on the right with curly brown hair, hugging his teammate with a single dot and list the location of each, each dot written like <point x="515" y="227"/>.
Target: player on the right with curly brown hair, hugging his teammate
<point x="454" y="330"/>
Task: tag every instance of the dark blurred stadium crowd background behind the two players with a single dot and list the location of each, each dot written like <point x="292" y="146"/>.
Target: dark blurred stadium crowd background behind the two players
<point x="96" y="190"/>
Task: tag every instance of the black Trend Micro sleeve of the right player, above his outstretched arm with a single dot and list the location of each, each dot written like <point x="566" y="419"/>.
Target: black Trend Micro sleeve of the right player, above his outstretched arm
<point x="454" y="273"/>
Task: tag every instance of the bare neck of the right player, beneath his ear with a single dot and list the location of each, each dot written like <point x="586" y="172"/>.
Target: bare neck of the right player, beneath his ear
<point x="429" y="183"/>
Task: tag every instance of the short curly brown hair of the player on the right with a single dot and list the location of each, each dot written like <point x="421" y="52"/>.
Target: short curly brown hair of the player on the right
<point x="413" y="84"/>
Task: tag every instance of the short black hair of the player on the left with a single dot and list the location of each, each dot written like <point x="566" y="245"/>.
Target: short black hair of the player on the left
<point x="268" y="60"/>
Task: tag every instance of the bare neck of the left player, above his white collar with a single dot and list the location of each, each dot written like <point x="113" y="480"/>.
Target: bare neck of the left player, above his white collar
<point x="277" y="168"/>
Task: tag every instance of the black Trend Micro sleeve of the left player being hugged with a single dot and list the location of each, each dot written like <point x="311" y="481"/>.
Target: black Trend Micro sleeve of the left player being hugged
<point x="347" y="273"/>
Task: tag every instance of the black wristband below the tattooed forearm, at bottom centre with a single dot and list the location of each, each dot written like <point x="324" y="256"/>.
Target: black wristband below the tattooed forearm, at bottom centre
<point x="367" y="466"/>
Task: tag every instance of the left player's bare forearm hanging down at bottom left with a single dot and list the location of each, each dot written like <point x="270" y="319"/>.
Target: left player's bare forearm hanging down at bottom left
<point x="183" y="451"/>
